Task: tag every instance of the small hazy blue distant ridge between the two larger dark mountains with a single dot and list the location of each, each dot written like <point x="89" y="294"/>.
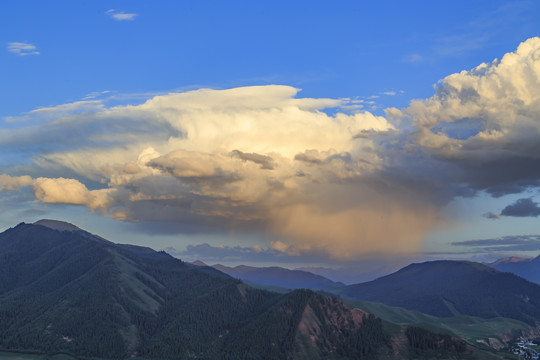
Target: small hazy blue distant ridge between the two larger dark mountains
<point x="280" y="277"/>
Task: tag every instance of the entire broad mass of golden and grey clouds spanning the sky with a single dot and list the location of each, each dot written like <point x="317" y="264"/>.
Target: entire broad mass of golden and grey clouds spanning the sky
<point x="261" y="159"/>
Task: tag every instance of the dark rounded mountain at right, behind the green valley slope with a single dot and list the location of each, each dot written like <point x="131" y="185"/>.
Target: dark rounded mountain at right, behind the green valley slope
<point x="450" y="288"/>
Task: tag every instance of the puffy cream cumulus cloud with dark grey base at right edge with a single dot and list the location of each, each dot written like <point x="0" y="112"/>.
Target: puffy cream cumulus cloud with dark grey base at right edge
<point x="483" y="124"/>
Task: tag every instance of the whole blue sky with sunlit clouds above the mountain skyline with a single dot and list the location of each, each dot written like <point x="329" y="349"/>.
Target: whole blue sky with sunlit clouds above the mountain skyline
<point x="306" y="133"/>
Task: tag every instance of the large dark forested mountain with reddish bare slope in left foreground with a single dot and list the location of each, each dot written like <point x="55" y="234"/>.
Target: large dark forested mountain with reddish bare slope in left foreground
<point x="64" y="290"/>
